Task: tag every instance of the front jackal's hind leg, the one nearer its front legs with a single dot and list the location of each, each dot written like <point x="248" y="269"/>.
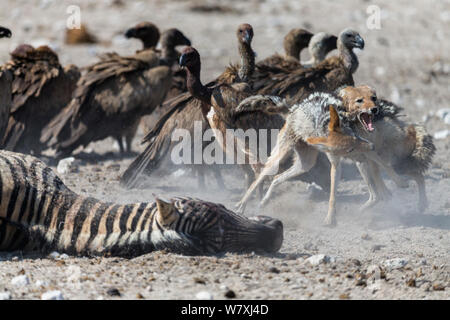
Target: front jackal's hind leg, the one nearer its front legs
<point x="305" y="159"/>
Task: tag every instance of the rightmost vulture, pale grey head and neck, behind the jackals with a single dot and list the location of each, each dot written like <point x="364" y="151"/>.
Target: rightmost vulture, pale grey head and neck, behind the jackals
<point x="327" y="76"/>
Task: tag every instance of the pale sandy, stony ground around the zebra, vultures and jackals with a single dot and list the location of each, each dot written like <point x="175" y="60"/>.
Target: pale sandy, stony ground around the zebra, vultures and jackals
<point x="390" y="252"/>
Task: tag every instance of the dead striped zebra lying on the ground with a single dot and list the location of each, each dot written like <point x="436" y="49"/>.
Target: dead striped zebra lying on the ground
<point x="38" y="212"/>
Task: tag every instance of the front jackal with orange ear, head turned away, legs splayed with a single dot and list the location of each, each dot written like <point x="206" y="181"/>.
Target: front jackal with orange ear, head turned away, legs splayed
<point x="311" y="126"/>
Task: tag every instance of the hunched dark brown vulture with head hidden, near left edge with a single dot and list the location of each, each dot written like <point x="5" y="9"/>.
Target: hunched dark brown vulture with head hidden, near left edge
<point x="41" y="87"/>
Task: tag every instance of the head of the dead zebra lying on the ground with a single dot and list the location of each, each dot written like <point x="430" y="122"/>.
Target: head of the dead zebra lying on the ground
<point x="200" y="227"/>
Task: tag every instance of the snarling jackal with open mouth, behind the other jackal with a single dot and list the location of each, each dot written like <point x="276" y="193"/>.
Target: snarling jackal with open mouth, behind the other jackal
<point x="405" y="147"/>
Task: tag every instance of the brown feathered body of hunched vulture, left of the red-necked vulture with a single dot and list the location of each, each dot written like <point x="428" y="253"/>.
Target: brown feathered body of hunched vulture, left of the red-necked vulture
<point x="109" y="99"/>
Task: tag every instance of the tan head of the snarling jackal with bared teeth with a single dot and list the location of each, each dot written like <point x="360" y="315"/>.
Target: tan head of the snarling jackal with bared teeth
<point x="360" y="103"/>
